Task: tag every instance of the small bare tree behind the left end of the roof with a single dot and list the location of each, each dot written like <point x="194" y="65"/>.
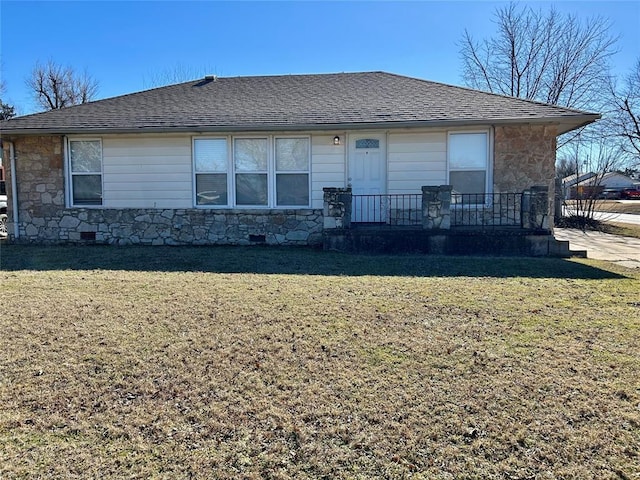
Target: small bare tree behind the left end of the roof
<point x="55" y="86"/>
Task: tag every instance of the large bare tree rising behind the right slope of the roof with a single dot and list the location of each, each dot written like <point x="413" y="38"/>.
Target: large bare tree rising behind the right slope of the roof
<point x="548" y="57"/>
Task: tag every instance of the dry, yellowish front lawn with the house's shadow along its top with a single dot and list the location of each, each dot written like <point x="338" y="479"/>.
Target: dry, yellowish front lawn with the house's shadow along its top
<point x="284" y="363"/>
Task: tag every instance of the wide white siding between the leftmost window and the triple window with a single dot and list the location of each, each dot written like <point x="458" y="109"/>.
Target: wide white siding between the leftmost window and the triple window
<point x="147" y="172"/>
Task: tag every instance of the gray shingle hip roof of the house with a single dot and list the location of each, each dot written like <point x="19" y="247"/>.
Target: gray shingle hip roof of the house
<point x="295" y="102"/>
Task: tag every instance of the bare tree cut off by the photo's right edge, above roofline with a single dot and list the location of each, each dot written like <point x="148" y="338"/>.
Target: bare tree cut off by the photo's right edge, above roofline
<point x="625" y="117"/>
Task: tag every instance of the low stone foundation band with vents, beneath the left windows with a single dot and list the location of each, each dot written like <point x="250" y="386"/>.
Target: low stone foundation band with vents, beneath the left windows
<point x="174" y="227"/>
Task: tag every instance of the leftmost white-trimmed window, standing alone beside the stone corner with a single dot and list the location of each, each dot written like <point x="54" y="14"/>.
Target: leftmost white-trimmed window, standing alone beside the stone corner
<point x="85" y="167"/>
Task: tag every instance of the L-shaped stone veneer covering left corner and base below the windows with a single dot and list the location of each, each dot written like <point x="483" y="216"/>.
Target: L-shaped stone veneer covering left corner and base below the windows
<point x="43" y="217"/>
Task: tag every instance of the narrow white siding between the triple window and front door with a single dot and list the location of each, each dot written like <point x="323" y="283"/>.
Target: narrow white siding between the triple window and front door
<point x="327" y="166"/>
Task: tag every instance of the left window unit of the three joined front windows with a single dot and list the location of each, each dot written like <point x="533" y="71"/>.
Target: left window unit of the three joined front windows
<point x="211" y="162"/>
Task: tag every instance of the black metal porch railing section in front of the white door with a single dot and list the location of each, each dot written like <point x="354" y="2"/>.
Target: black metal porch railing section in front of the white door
<point x="392" y="209"/>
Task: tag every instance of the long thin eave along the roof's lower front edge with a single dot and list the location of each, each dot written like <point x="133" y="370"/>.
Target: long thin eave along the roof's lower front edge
<point x="565" y="124"/>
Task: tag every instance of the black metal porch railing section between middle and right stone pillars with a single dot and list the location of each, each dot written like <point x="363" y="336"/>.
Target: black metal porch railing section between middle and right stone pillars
<point x="486" y="210"/>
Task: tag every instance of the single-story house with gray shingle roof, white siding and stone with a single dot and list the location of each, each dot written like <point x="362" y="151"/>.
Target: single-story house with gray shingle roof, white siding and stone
<point x="249" y="159"/>
